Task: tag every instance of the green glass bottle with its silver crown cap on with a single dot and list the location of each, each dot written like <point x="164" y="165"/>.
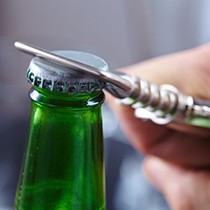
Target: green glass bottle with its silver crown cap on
<point x="63" y="167"/>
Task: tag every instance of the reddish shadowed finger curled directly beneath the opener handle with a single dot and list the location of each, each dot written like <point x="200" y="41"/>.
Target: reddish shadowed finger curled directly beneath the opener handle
<point x="148" y="138"/>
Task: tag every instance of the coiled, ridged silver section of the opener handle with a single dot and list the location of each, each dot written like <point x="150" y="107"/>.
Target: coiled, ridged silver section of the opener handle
<point x="160" y="104"/>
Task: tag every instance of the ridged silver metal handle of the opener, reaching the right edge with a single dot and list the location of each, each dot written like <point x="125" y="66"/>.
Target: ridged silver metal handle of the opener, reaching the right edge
<point x="165" y="104"/>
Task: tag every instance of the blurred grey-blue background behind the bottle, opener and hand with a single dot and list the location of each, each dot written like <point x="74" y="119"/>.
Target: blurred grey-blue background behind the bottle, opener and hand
<point x="121" y="32"/>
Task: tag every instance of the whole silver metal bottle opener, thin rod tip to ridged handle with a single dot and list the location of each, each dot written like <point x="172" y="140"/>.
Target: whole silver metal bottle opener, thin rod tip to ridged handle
<point x="161" y="104"/>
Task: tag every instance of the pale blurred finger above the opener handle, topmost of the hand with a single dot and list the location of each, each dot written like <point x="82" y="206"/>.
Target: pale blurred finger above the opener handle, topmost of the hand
<point x="188" y="71"/>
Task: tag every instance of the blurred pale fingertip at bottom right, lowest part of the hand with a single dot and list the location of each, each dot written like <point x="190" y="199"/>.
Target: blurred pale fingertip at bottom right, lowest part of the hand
<point x="183" y="189"/>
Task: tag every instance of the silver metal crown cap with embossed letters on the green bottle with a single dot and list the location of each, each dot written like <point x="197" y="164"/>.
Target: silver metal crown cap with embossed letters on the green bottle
<point x="54" y="77"/>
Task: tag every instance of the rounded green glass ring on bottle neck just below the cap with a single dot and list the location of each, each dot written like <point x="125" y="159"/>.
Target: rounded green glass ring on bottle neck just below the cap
<point x="82" y="100"/>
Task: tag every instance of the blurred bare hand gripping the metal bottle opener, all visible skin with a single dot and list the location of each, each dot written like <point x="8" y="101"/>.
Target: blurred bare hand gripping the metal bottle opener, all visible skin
<point x="180" y="153"/>
